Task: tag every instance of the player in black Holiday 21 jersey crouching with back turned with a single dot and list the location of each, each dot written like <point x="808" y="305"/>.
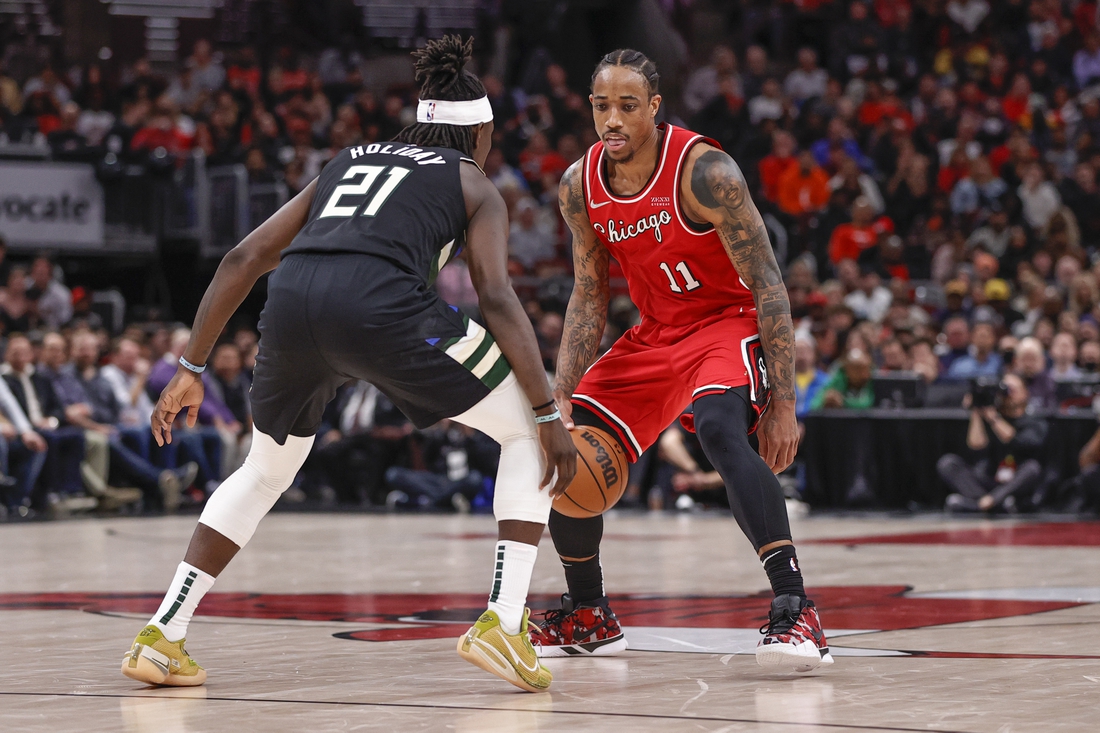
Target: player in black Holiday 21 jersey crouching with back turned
<point x="354" y="257"/>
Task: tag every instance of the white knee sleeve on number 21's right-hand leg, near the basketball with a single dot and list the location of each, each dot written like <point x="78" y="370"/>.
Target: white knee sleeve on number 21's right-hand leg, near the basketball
<point x="507" y="417"/>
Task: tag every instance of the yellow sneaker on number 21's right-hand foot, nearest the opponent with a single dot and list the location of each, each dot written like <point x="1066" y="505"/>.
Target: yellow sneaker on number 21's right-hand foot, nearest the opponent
<point x="511" y="658"/>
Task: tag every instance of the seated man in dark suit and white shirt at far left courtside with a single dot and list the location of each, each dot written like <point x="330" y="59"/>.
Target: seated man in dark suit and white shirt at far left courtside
<point x="39" y="402"/>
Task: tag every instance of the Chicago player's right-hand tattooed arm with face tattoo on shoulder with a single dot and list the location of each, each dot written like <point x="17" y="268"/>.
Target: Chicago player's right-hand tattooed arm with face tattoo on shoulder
<point x="716" y="192"/>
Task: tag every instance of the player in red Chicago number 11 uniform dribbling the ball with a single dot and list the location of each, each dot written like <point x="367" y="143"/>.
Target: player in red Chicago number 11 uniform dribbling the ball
<point x="716" y="334"/>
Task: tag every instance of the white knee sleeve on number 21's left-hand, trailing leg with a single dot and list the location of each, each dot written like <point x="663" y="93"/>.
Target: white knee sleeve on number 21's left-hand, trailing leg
<point x="244" y="499"/>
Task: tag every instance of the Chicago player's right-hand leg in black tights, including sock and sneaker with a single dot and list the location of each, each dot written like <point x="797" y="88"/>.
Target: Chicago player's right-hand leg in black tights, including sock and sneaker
<point x="723" y="421"/>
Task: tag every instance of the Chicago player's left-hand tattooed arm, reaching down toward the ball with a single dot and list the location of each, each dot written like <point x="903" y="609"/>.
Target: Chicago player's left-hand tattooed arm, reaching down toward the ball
<point x="588" y="307"/>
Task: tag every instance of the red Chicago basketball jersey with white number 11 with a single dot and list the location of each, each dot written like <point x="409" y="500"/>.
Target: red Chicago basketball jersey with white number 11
<point x="678" y="273"/>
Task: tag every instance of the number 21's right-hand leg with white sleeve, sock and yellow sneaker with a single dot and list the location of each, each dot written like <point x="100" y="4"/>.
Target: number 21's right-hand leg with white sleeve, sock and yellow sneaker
<point x="500" y="638"/>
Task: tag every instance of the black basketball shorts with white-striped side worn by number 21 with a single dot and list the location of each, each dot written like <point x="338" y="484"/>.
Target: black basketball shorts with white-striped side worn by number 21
<point x="332" y="319"/>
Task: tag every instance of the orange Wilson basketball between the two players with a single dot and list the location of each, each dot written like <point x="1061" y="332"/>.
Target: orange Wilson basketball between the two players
<point x="602" y="474"/>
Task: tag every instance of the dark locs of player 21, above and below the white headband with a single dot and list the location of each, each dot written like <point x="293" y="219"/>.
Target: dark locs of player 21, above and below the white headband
<point x="442" y="74"/>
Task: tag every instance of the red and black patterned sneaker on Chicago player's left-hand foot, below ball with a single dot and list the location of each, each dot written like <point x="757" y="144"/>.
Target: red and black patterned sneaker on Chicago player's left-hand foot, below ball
<point x="591" y="630"/>
